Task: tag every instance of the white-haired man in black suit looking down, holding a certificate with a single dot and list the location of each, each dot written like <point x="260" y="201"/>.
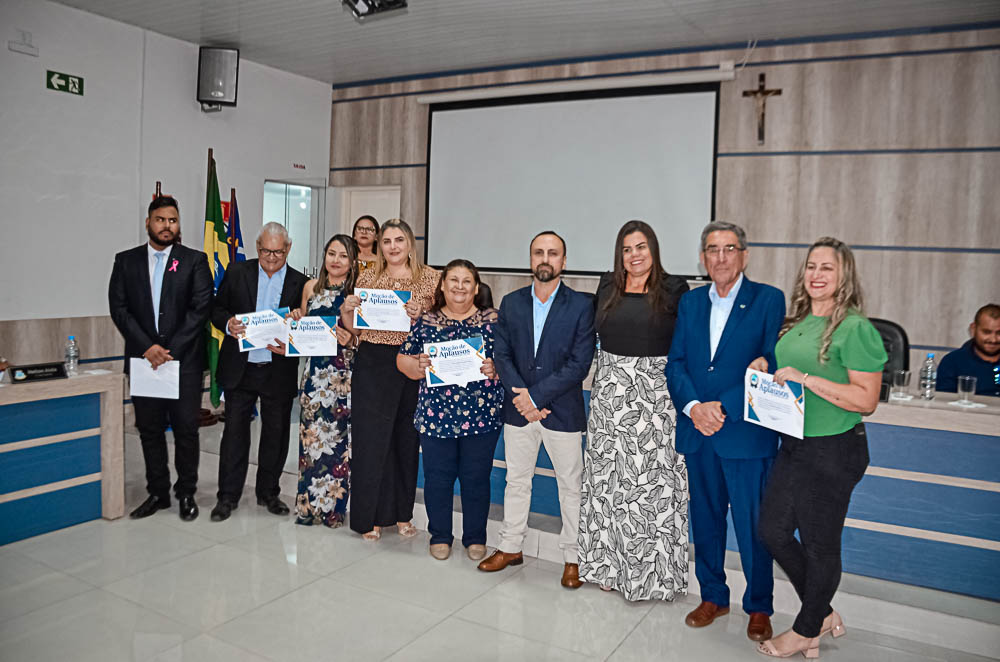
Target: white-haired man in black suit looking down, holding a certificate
<point x="255" y="285"/>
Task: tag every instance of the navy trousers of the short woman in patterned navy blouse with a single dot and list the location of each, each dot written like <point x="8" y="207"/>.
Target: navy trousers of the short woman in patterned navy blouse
<point x="470" y="460"/>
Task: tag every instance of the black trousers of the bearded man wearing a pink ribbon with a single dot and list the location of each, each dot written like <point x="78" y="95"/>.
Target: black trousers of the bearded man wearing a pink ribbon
<point x="152" y="416"/>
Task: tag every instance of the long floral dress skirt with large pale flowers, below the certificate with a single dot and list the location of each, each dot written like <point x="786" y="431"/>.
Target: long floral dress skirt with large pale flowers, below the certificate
<point x="324" y="442"/>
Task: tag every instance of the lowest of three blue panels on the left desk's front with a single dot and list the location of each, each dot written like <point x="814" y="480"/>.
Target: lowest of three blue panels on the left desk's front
<point x="47" y="512"/>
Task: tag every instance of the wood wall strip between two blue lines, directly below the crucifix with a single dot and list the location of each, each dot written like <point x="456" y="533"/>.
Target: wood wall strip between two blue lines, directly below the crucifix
<point x="940" y="199"/>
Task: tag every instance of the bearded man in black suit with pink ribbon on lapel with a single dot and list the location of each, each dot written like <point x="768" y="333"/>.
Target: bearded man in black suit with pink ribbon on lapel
<point x="160" y="295"/>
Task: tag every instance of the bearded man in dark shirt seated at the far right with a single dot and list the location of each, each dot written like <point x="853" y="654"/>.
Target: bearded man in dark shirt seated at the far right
<point x="979" y="357"/>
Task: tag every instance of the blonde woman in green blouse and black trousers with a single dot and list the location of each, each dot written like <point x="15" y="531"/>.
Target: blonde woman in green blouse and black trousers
<point x="829" y="346"/>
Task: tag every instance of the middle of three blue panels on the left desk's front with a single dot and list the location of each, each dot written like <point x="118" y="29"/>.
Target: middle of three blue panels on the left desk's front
<point x="51" y="463"/>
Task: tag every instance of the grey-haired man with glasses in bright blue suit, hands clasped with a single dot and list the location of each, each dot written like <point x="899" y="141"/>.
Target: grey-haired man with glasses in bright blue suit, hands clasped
<point x="720" y="330"/>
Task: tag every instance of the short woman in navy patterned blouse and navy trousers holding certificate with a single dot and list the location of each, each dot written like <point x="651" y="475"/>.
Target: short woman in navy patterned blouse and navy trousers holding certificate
<point x="458" y="425"/>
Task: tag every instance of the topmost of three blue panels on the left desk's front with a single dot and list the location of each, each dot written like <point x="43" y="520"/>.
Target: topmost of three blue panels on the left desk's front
<point x="45" y="418"/>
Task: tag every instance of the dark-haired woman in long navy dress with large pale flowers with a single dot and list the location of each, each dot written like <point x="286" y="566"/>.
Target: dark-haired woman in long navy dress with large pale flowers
<point x="325" y="396"/>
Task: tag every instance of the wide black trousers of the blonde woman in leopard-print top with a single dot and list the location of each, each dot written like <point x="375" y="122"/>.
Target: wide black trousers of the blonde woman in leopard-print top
<point x="384" y="443"/>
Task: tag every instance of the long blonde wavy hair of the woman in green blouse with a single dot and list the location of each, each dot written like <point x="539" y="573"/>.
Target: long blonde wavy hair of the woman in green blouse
<point x="847" y="297"/>
